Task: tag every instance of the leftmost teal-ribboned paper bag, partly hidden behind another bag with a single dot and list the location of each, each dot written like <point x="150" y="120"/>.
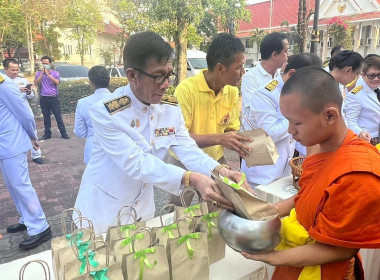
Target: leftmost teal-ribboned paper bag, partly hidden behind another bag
<point x="63" y="241"/>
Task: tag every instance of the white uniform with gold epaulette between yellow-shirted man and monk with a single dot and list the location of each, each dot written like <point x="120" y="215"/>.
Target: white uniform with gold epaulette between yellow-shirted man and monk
<point x="265" y="109"/>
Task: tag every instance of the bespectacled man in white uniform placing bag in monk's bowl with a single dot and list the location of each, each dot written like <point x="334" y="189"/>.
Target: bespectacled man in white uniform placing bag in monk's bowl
<point x="133" y="131"/>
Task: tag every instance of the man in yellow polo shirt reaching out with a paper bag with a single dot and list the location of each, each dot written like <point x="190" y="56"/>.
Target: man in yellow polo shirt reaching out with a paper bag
<point x="210" y="102"/>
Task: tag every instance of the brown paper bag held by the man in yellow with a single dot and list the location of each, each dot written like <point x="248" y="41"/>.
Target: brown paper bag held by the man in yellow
<point x="264" y="151"/>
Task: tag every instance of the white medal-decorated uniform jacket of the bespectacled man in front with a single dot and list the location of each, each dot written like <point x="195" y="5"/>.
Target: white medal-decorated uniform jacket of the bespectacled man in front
<point x="131" y="140"/>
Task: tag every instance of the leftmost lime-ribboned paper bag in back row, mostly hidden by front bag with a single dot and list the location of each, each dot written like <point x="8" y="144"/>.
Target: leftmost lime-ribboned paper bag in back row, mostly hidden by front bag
<point x="113" y="232"/>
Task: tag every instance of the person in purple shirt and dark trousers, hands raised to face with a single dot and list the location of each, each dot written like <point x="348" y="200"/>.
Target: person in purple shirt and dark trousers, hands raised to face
<point x="48" y="80"/>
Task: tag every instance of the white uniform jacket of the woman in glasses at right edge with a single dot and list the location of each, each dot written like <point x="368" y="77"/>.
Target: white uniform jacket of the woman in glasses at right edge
<point x="362" y="109"/>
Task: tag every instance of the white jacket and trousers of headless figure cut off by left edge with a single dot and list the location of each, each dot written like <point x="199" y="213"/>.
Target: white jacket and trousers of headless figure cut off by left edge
<point x="17" y="127"/>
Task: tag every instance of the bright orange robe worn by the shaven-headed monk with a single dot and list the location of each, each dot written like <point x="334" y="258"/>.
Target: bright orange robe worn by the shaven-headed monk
<point x="339" y="204"/>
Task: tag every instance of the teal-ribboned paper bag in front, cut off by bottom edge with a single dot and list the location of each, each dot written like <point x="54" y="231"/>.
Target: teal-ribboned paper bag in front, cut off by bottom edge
<point x="107" y="271"/>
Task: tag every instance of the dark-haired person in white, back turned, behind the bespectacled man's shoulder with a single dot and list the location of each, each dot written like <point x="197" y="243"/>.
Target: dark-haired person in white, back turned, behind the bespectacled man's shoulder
<point x="99" y="81"/>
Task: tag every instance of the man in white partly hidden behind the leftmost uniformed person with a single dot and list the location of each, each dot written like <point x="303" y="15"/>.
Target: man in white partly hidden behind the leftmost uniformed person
<point x="11" y="72"/>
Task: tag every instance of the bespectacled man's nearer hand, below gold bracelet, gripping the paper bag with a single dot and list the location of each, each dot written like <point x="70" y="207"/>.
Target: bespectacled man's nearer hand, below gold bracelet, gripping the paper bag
<point x="209" y="190"/>
